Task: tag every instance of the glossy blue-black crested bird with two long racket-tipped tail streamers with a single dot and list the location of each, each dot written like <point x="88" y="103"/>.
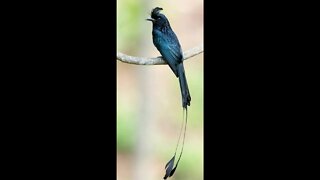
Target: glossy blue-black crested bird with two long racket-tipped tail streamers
<point x="169" y="47"/>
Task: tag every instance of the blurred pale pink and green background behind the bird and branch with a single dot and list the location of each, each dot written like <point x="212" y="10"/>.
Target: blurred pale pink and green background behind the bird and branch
<point x="149" y="111"/>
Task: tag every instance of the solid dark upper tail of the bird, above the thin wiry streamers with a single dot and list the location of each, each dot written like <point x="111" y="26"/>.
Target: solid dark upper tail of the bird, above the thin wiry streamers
<point x="186" y="98"/>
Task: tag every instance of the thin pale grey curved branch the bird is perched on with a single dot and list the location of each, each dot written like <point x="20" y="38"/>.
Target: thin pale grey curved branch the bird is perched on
<point x="156" y="61"/>
